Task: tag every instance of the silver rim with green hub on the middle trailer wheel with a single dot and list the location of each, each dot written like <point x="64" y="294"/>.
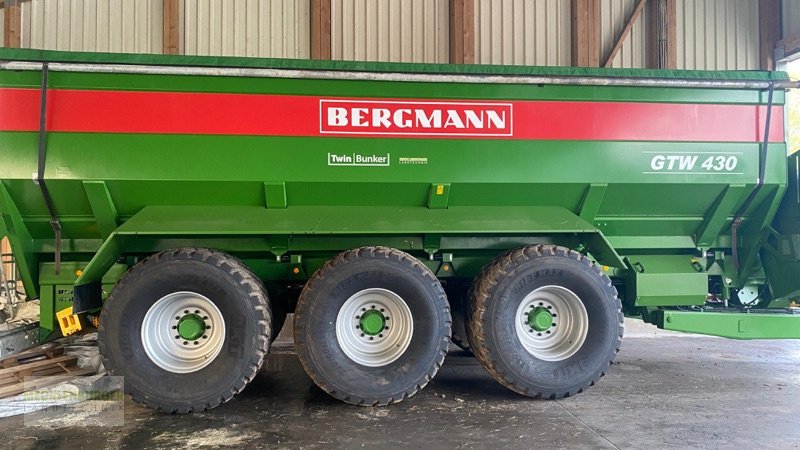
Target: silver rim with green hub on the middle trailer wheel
<point x="374" y="327"/>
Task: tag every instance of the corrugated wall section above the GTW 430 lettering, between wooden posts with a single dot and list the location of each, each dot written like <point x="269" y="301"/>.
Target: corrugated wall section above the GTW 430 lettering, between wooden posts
<point x="717" y="34"/>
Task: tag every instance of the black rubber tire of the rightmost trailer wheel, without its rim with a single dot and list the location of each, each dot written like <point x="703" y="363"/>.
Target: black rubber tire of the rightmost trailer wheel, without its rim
<point x="499" y="290"/>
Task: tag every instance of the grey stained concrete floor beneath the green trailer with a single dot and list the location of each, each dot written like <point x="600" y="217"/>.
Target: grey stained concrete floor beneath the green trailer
<point x="664" y="391"/>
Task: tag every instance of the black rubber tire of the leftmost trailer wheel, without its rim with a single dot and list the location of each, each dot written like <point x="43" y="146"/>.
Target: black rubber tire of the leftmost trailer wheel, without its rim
<point x="242" y="302"/>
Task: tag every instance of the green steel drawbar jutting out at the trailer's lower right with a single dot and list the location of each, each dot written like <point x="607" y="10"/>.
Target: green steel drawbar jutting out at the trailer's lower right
<point x="734" y="325"/>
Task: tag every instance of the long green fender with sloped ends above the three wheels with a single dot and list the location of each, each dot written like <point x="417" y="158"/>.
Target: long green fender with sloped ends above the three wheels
<point x="280" y="227"/>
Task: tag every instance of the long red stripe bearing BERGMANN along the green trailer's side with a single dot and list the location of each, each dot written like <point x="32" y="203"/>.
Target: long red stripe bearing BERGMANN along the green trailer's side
<point x="285" y="115"/>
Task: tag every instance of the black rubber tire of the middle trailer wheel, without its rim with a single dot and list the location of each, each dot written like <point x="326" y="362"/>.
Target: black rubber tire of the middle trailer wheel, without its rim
<point x="325" y="294"/>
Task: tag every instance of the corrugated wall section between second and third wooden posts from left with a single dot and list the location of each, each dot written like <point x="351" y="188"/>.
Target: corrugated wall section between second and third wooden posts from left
<point x="265" y="28"/>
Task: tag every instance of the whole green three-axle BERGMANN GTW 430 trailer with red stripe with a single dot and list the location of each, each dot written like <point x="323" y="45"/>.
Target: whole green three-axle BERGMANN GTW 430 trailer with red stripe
<point x="191" y="203"/>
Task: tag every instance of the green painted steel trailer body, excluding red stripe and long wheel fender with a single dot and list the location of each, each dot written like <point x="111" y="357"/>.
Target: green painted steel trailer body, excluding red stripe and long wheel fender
<point x="277" y="203"/>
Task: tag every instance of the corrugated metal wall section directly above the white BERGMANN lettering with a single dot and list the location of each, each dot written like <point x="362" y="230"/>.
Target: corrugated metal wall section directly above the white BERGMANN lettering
<point x="390" y="30"/>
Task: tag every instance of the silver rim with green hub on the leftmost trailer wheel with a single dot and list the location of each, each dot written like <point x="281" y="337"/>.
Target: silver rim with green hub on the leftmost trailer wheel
<point x="183" y="332"/>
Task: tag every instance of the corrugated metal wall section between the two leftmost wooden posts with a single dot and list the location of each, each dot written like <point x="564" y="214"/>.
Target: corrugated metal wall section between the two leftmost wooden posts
<point x="93" y="25"/>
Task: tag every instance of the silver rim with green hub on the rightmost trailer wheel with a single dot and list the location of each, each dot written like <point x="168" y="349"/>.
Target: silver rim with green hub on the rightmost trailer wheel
<point x="552" y="323"/>
